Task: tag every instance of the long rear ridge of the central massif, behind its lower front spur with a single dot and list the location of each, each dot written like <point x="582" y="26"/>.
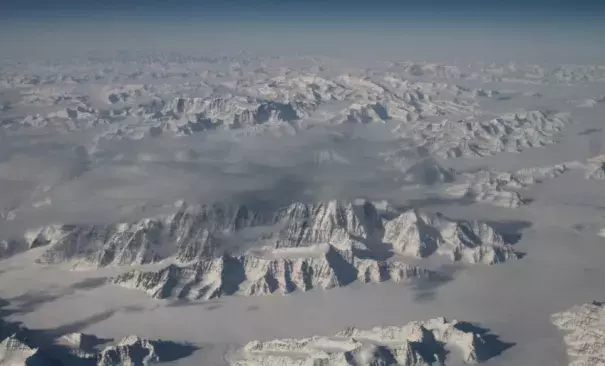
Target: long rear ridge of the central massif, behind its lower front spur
<point x="200" y="232"/>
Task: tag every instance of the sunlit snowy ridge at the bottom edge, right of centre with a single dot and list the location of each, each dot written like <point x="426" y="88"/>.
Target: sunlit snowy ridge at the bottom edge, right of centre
<point x="435" y="341"/>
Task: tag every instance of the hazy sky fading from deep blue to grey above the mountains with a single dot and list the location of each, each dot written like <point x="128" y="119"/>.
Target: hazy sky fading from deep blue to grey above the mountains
<point x="531" y="30"/>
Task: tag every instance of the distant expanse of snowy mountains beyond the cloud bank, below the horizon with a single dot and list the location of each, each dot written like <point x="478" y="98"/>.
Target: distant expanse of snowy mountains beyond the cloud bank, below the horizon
<point x="442" y="118"/>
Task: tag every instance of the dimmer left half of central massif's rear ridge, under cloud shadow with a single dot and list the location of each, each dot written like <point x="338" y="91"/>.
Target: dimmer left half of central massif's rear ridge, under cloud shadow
<point x="187" y="235"/>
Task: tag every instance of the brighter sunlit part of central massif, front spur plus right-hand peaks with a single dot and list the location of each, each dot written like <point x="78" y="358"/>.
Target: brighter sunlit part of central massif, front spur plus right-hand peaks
<point x="325" y="246"/>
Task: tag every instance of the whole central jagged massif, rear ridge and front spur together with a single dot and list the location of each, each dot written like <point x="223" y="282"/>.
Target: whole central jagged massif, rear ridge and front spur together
<point x="222" y="249"/>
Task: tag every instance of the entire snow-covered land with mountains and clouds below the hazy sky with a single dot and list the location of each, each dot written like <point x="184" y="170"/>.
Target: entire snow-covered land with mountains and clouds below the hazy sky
<point x="244" y="210"/>
